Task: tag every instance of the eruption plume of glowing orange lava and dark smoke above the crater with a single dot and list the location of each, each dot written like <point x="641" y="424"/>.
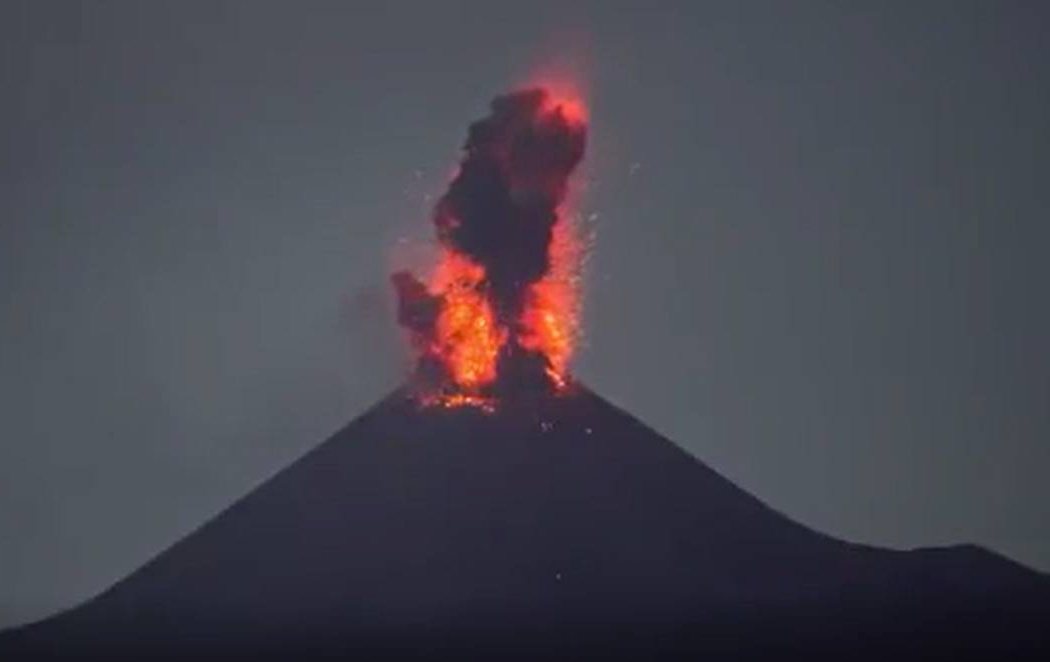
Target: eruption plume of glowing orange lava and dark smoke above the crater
<point x="500" y="314"/>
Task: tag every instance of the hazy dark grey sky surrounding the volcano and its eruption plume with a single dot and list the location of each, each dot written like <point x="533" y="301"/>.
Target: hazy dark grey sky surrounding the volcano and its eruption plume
<point x="822" y="233"/>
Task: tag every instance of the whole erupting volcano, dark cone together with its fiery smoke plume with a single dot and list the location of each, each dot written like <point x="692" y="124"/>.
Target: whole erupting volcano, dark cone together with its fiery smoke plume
<point x="489" y="510"/>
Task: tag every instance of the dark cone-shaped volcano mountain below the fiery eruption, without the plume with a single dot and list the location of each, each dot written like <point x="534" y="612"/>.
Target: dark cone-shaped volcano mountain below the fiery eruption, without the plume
<point x="558" y="526"/>
